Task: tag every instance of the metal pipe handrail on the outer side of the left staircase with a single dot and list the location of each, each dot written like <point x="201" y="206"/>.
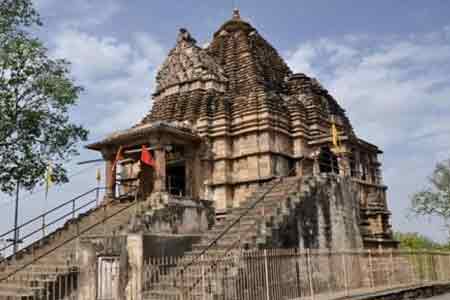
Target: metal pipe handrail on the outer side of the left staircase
<point x="42" y="228"/>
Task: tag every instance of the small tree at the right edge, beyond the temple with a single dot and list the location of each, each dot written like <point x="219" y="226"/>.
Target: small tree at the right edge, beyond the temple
<point x="434" y="200"/>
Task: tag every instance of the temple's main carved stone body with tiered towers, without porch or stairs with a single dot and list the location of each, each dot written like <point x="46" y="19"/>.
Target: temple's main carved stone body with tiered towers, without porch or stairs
<point x="258" y="120"/>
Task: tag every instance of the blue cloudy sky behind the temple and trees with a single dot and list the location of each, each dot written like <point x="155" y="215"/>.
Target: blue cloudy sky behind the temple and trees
<point x="386" y="62"/>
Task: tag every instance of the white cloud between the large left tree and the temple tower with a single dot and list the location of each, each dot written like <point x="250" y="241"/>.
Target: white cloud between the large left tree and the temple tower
<point x="117" y="75"/>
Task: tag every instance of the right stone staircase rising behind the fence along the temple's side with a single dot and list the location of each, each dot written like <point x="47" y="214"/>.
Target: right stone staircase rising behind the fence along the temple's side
<point x="258" y="228"/>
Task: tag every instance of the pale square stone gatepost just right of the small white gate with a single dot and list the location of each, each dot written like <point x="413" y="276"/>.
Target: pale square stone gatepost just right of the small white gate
<point x="135" y="251"/>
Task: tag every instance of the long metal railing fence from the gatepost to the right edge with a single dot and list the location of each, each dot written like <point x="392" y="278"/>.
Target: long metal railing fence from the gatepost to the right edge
<point x="274" y="274"/>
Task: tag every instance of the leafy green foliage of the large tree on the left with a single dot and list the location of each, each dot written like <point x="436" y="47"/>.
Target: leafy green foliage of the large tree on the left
<point x="36" y="93"/>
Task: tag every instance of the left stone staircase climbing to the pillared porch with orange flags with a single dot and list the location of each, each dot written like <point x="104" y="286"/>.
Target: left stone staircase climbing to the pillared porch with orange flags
<point x="51" y="259"/>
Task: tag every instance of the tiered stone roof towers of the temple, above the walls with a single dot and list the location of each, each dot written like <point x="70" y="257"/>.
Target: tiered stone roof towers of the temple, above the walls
<point x="241" y="74"/>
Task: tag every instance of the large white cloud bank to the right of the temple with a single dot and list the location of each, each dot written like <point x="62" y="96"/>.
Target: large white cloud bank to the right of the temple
<point x="396" y="91"/>
